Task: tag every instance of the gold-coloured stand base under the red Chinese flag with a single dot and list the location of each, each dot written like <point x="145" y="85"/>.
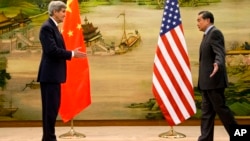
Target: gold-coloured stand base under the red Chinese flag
<point x="72" y="134"/>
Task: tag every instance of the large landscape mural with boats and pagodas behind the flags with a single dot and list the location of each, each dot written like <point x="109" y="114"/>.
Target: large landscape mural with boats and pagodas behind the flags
<point x="121" y="38"/>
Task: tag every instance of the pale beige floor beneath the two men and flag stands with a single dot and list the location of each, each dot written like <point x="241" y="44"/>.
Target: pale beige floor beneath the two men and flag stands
<point x="112" y="133"/>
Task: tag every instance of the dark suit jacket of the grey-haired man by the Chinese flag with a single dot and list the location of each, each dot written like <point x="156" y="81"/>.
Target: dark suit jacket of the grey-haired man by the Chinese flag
<point x="54" y="55"/>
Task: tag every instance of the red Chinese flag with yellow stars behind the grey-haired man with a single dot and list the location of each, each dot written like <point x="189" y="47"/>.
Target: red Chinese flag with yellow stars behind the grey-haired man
<point x="76" y="91"/>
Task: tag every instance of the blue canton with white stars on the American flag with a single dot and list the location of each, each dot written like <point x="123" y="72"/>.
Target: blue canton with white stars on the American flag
<point x="171" y="16"/>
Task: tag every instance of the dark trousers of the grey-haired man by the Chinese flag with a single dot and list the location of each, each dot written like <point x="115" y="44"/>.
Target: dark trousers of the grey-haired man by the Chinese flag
<point x="51" y="94"/>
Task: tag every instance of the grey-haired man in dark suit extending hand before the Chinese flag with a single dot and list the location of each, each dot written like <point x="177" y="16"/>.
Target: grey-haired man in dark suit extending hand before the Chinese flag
<point x="52" y="70"/>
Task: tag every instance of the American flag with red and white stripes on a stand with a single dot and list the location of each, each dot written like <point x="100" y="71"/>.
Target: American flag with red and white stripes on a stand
<point x="172" y="80"/>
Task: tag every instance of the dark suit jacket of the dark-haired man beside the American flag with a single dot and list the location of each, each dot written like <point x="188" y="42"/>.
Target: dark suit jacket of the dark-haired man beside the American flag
<point x="212" y="50"/>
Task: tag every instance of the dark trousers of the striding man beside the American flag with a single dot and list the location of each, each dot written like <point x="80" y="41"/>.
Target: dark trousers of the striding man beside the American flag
<point x="213" y="102"/>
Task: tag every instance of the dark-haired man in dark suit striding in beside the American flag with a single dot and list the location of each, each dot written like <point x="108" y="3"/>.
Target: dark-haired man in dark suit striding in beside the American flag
<point x="212" y="79"/>
